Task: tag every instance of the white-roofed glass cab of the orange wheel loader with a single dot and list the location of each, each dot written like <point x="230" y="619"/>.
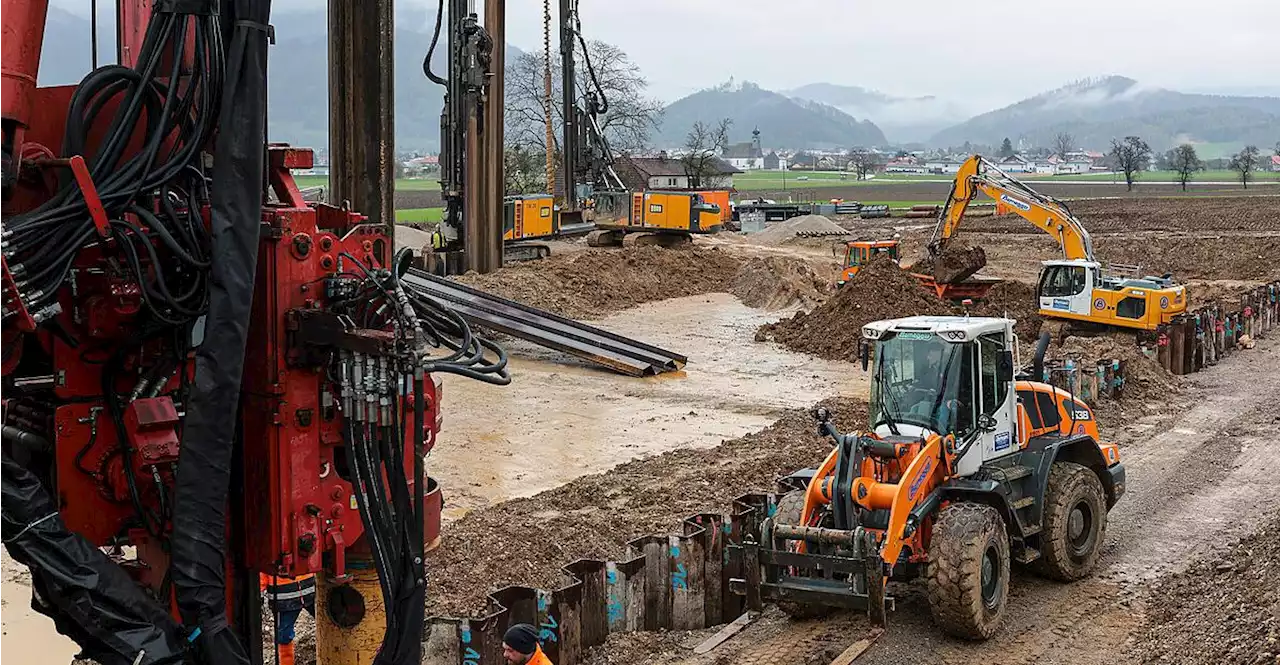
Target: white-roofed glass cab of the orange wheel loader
<point x="947" y="377"/>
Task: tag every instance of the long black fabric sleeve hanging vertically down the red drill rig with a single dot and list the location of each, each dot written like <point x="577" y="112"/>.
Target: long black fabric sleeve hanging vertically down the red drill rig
<point x="209" y="432"/>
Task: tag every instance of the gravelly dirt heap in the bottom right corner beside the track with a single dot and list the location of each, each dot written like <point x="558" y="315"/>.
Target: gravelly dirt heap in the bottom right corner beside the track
<point x="1219" y="612"/>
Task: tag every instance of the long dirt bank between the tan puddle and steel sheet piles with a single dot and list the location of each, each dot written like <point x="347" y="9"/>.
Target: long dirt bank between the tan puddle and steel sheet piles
<point x="527" y="542"/>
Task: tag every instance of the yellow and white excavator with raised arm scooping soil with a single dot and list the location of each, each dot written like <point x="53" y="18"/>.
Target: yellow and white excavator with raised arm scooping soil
<point x="1075" y="288"/>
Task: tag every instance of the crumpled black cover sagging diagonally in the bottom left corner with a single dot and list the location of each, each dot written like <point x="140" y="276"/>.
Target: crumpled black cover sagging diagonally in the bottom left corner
<point x="90" y="598"/>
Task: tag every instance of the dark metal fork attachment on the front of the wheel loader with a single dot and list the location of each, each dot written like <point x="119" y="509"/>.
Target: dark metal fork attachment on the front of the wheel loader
<point x="844" y="570"/>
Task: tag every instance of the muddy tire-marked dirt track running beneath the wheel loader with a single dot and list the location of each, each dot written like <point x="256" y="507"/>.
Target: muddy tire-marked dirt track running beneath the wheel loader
<point x="1197" y="481"/>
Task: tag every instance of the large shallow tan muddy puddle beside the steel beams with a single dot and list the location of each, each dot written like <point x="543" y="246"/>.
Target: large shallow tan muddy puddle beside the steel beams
<point x="561" y="419"/>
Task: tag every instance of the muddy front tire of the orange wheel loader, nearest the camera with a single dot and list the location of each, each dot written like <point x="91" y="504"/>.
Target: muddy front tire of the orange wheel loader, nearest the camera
<point x="968" y="572"/>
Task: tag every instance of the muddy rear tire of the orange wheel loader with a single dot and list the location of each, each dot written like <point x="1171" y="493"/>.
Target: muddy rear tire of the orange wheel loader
<point x="1076" y="524"/>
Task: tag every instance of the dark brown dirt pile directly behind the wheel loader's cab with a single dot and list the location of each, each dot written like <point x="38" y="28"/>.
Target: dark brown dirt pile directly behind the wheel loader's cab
<point x="833" y="332"/>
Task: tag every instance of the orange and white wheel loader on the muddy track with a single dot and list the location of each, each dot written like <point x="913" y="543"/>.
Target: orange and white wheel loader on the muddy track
<point x="966" y="470"/>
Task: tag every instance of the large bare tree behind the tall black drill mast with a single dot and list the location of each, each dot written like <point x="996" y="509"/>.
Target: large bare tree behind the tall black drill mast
<point x="629" y="122"/>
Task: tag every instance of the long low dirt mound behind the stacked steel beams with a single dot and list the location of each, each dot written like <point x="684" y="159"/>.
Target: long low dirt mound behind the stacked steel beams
<point x="598" y="282"/>
